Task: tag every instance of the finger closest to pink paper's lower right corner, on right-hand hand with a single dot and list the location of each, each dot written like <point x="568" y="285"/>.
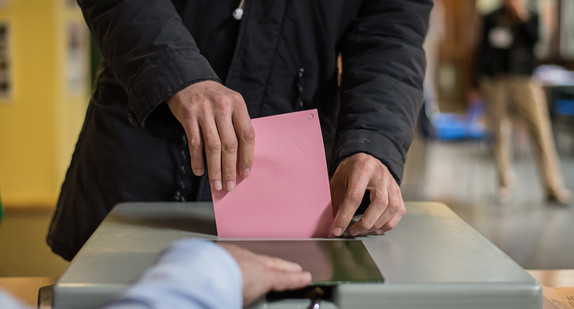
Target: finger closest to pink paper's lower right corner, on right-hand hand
<point x="353" y="197"/>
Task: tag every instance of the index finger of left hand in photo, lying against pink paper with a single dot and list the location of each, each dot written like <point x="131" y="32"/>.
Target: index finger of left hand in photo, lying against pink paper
<point x="246" y="139"/>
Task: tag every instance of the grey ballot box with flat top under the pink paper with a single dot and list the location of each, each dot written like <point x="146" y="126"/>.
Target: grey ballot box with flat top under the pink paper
<point x="432" y="259"/>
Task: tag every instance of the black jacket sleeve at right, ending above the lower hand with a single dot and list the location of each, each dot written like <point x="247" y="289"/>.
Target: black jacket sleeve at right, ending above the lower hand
<point x="381" y="81"/>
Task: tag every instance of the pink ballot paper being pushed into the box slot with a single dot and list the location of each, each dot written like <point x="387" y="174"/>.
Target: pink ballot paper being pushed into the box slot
<point x="287" y="193"/>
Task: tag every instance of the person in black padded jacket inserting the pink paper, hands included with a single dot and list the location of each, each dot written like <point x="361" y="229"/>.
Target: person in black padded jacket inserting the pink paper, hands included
<point x="181" y="79"/>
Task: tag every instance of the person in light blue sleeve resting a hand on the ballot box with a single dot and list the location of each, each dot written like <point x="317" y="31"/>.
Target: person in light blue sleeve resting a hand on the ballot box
<point x="194" y="273"/>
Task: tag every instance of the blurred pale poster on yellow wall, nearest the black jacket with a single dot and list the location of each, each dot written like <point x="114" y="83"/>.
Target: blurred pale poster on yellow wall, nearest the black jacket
<point x="76" y="62"/>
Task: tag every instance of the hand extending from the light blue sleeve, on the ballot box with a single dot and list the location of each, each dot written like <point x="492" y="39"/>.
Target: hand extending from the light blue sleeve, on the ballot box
<point x="262" y="273"/>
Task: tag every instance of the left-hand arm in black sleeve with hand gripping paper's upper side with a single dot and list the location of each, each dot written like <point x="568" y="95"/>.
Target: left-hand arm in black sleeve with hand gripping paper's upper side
<point x="156" y="60"/>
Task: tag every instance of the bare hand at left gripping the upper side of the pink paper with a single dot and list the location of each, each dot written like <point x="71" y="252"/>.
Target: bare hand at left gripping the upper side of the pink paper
<point x="215" y="120"/>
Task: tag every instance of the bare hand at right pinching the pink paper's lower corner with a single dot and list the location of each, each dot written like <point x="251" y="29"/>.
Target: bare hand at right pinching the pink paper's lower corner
<point x="355" y="175"/>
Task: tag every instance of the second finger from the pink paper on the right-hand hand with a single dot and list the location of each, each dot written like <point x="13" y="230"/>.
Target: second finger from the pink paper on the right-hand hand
<point x="376" y="210"/>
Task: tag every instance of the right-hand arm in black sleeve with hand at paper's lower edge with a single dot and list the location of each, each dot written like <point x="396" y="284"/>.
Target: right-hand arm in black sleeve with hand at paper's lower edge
<point x="381" y="94"/>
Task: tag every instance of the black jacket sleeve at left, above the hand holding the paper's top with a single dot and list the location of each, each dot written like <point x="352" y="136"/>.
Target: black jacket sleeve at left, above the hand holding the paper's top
<point x="151" y="53"/>
